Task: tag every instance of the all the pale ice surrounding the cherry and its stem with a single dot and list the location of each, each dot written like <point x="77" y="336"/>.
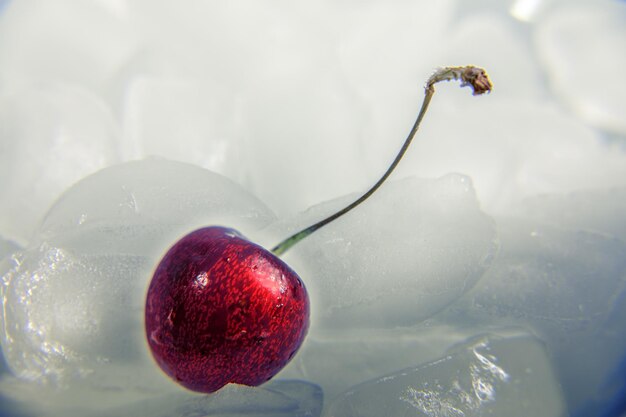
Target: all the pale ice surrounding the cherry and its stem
<point x="499" y="243"/>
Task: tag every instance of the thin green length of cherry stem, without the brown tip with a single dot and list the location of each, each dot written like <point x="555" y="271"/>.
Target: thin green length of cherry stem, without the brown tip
<point x="286" y="244"/>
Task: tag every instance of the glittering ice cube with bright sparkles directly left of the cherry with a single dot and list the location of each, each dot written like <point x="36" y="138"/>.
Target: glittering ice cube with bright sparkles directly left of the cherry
<point x="69" y="316"/>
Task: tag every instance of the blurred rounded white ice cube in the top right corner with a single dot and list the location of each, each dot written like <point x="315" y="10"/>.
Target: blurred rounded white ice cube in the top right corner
<point x="581" y="44"/>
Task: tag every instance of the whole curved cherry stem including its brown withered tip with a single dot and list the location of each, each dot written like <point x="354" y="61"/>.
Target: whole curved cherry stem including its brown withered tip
<point x="469" y="75"/>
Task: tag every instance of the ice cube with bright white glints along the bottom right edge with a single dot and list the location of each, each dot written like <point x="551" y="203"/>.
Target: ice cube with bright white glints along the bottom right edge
<point x="491" y="375"/>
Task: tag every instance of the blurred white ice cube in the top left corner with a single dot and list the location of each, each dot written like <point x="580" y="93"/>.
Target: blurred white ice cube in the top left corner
<point x="68" y="42"/>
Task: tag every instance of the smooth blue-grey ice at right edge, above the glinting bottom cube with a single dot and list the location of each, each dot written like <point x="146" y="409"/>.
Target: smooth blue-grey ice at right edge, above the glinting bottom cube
<point x="566" y="285"/>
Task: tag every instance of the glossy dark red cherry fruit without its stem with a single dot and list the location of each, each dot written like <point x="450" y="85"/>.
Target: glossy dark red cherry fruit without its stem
<point x="221" y="309"/>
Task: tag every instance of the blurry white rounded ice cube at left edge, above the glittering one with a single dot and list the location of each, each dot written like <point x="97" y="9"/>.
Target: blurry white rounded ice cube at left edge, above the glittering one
<point x="50" y="136"/>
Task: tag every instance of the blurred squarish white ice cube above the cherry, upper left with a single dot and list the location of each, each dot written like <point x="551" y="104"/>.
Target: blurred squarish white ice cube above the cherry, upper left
<point x="181" y="119"/>
